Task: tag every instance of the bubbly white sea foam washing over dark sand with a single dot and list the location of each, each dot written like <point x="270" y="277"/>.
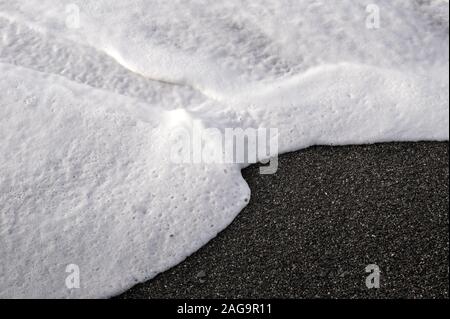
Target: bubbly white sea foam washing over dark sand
<point x="88" y="104"/>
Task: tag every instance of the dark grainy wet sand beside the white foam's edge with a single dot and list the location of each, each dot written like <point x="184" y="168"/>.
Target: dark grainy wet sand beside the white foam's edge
<point x="311" y="229"/>
